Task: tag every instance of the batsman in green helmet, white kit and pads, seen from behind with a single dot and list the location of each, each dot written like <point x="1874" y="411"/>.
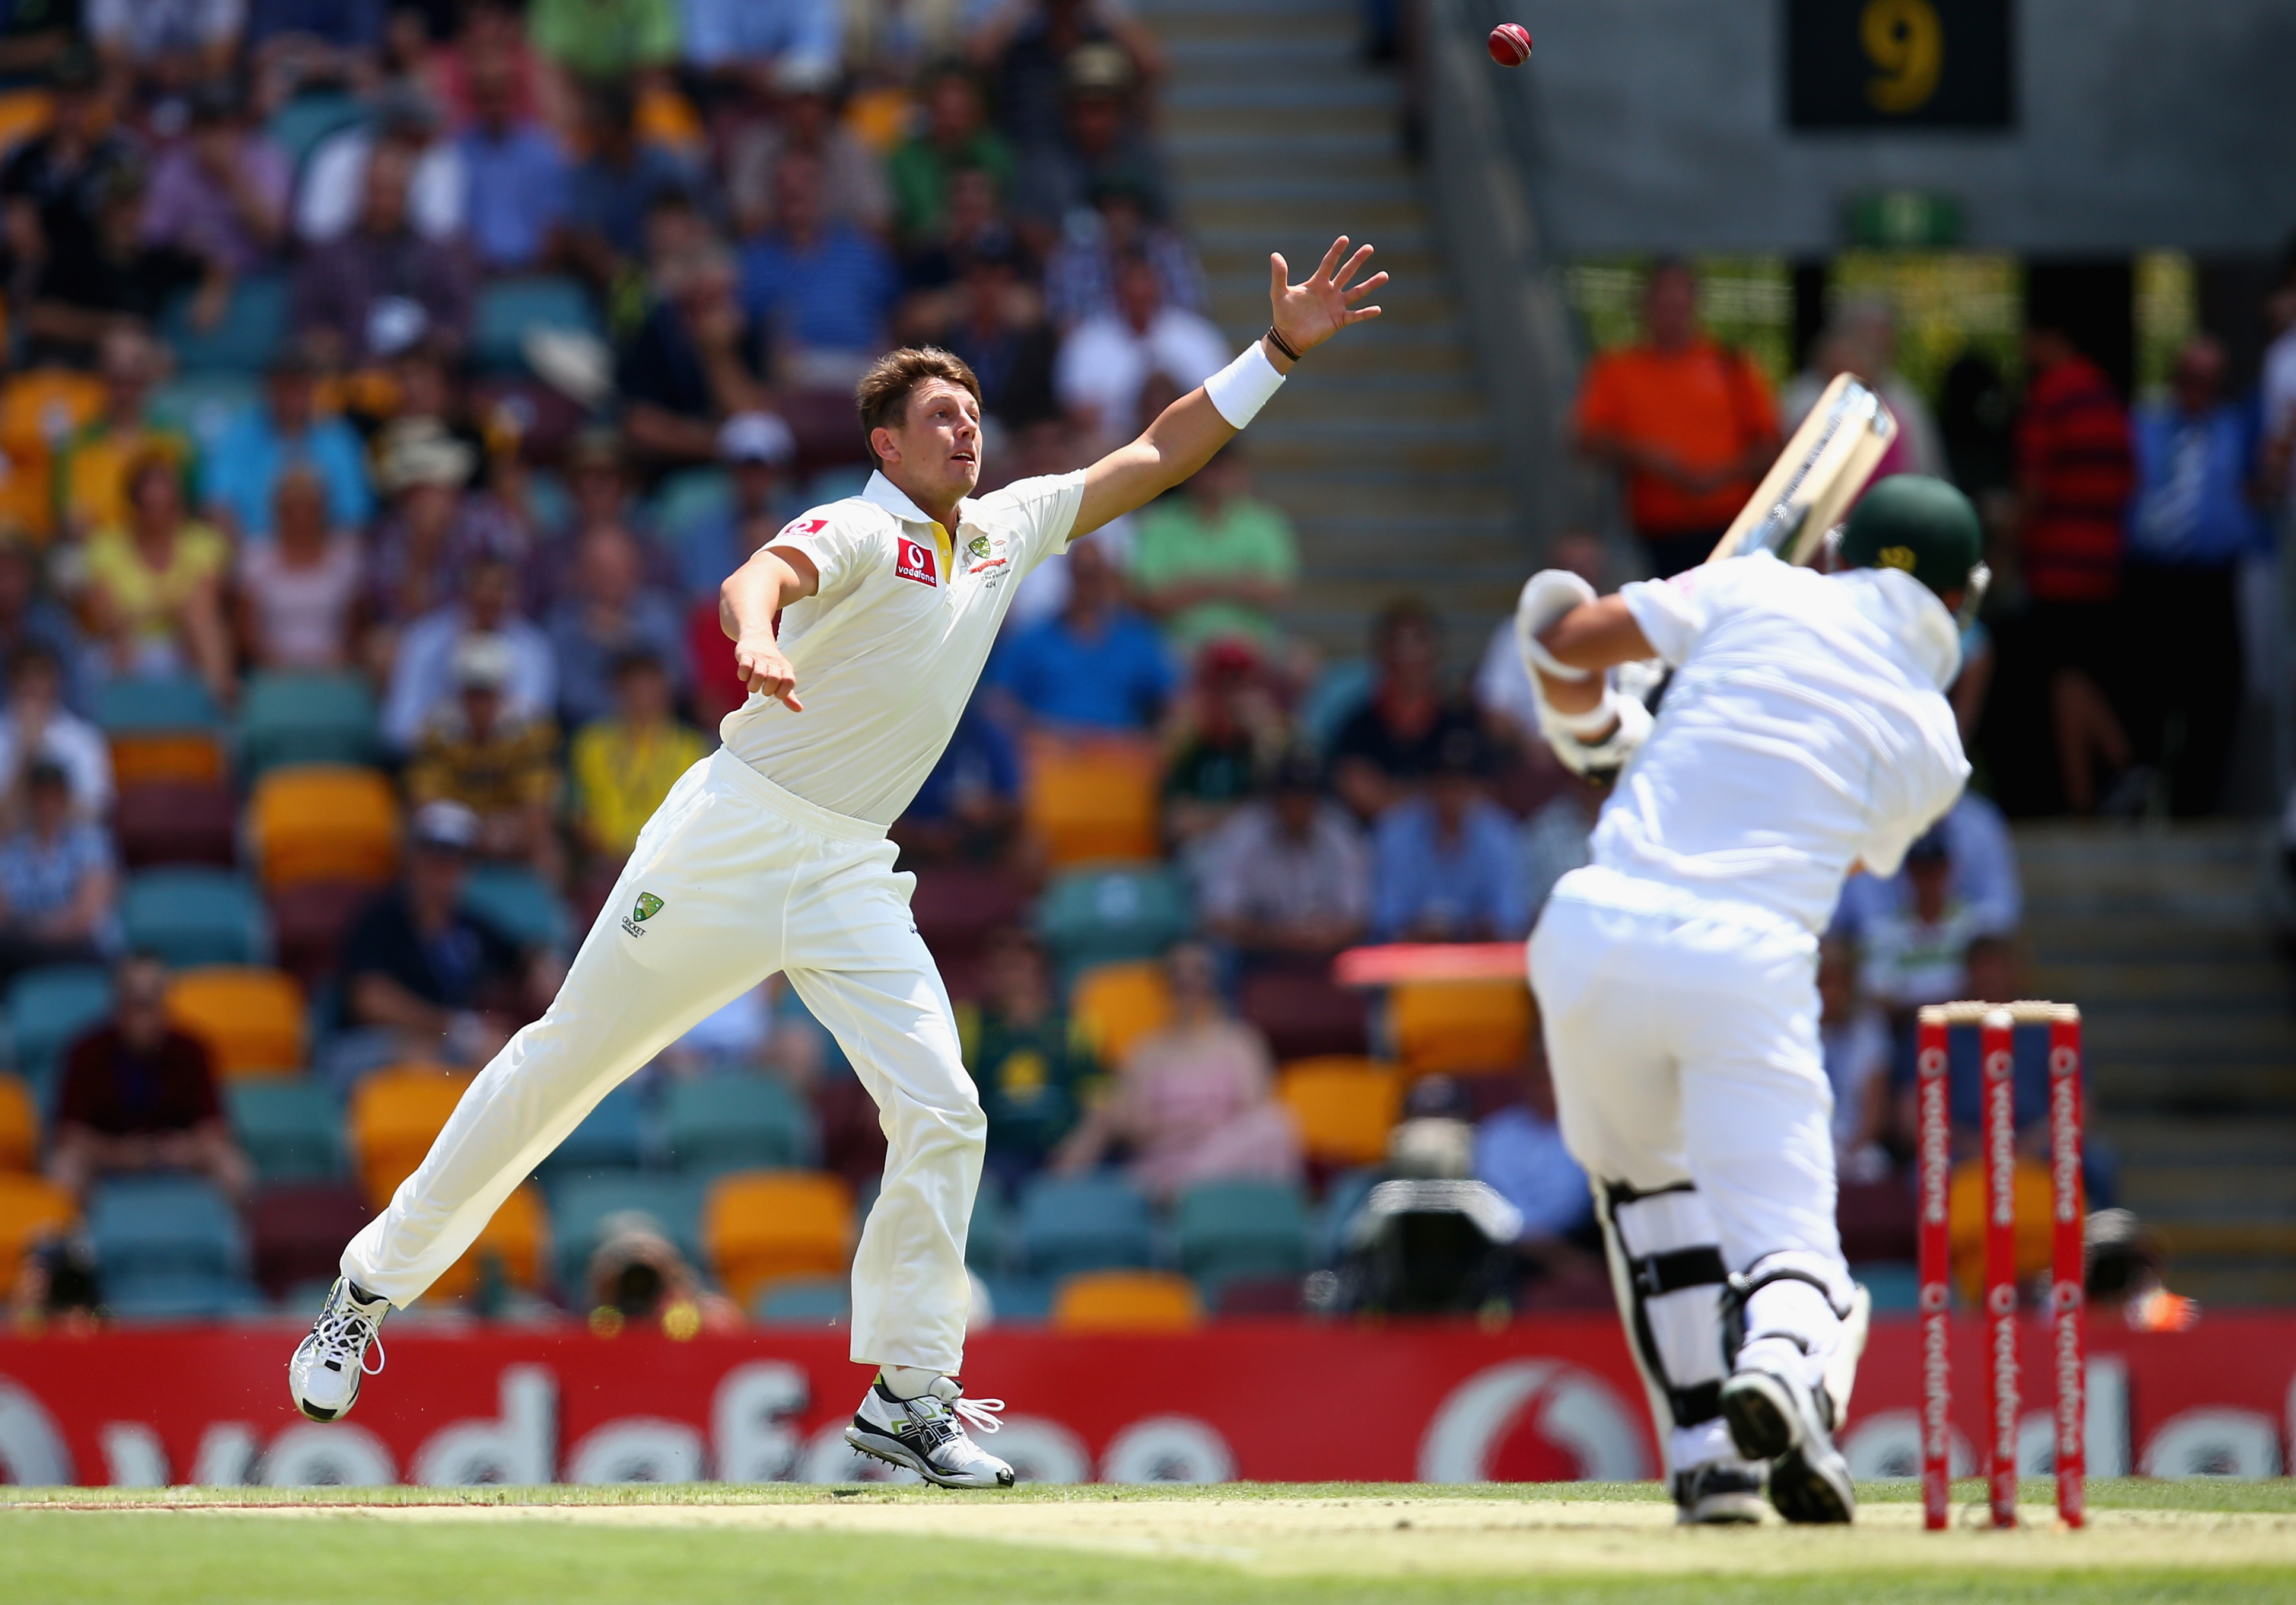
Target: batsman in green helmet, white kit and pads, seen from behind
<point x="1804" y="731"/>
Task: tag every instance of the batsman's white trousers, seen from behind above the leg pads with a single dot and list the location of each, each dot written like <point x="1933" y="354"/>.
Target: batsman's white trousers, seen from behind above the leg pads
<point x="1684" y="1044"/>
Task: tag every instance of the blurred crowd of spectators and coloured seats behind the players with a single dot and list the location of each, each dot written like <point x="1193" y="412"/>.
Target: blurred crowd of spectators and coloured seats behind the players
<point x="394" y="389"/>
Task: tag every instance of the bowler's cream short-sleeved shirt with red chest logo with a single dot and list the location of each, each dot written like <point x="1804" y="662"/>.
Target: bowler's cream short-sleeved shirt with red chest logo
<point x="890" y="649"/>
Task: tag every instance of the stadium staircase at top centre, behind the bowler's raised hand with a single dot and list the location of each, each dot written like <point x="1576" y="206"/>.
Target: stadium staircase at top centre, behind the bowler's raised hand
<point x="1386" y="458"/>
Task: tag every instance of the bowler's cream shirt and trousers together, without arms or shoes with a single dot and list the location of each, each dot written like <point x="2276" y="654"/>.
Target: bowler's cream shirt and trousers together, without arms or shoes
<point x="766" y="858"/>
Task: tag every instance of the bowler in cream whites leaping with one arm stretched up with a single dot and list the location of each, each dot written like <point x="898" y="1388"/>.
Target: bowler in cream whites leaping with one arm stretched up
<point x="860" y="633"/>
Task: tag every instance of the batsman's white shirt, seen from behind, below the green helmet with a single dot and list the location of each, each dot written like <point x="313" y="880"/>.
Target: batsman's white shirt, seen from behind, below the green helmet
<point x="1806" y="729"/>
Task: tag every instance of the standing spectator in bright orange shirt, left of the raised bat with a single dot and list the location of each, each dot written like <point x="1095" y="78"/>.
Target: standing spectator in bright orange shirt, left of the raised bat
<point x="1686" y="421"/>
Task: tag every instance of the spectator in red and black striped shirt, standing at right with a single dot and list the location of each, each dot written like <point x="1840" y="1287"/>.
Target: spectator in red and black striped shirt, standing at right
<point x="2074" y="486"/>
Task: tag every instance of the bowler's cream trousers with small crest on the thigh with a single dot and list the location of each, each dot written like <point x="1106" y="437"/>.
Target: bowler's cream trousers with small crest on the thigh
<point x="750" y="881"/>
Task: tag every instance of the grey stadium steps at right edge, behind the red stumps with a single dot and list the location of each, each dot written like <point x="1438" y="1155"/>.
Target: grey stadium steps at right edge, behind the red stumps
<point x="2164" y="940"/>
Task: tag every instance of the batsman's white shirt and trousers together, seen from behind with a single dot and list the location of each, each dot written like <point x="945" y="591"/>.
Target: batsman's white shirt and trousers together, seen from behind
<point x="1806" y="729"/>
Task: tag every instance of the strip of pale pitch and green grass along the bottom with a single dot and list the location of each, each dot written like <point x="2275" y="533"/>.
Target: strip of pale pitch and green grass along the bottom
<point x="568" y="1546"/>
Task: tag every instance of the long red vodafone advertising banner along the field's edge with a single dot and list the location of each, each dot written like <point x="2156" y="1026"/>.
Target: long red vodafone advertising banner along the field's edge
<point x="1252" y="1399"/>
